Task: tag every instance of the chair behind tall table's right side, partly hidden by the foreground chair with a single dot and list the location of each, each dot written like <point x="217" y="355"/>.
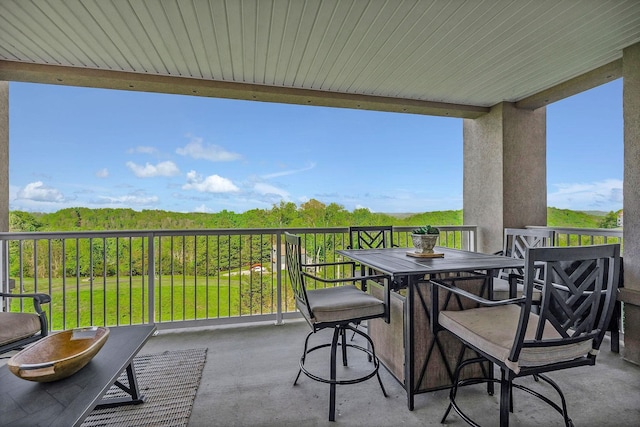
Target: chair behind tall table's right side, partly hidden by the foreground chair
<point x="508" y="283"/>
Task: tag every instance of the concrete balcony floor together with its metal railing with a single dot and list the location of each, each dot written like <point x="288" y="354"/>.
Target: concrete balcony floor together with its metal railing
<point x="253" y="336"/>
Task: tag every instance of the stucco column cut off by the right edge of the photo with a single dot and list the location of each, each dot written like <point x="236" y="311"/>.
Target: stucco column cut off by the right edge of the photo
<point x="631" y="191"/>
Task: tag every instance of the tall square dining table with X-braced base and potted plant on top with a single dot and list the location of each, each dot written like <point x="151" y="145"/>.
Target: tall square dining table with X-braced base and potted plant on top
<point x="420" y="361"/>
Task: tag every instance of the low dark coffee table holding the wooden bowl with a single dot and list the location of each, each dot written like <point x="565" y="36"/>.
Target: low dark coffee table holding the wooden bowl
<point x="69" y="401"/>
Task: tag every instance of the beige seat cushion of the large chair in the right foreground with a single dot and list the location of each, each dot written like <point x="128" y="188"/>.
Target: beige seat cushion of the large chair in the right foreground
<point x="492" y="330"/>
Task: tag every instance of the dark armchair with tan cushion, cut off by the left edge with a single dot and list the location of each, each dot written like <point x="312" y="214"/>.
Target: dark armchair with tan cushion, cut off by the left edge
<point x="19" y="329"/>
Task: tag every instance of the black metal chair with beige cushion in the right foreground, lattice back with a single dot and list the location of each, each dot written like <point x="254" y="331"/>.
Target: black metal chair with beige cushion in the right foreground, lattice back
<point x="579" y="291"/>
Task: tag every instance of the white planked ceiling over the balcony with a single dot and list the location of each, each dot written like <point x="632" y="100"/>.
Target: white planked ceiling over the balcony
<point x="467" y="52"/>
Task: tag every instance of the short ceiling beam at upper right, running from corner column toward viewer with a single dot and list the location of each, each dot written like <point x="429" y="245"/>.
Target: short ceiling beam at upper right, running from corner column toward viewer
<point x="594" y="78"/>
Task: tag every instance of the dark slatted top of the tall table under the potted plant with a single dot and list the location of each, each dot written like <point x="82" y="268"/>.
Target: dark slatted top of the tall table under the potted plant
<point x="395" y="261"/>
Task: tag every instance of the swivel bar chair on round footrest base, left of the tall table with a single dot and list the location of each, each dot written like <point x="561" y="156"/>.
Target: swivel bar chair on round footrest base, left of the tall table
<point x="337" y="307"/>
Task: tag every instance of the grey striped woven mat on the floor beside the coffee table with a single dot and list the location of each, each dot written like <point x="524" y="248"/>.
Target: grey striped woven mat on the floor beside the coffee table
<point x="169" y="381"/>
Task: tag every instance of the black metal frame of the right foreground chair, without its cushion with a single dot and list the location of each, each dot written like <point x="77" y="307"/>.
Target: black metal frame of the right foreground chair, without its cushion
<point x="579" y="296"/>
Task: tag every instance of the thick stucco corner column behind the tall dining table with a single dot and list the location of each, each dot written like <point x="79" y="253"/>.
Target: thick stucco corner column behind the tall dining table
<point x="505" y="172"/>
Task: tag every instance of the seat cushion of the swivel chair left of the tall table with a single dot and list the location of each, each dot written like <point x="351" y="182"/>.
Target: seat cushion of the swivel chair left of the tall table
<point x="343" y="303"/>
